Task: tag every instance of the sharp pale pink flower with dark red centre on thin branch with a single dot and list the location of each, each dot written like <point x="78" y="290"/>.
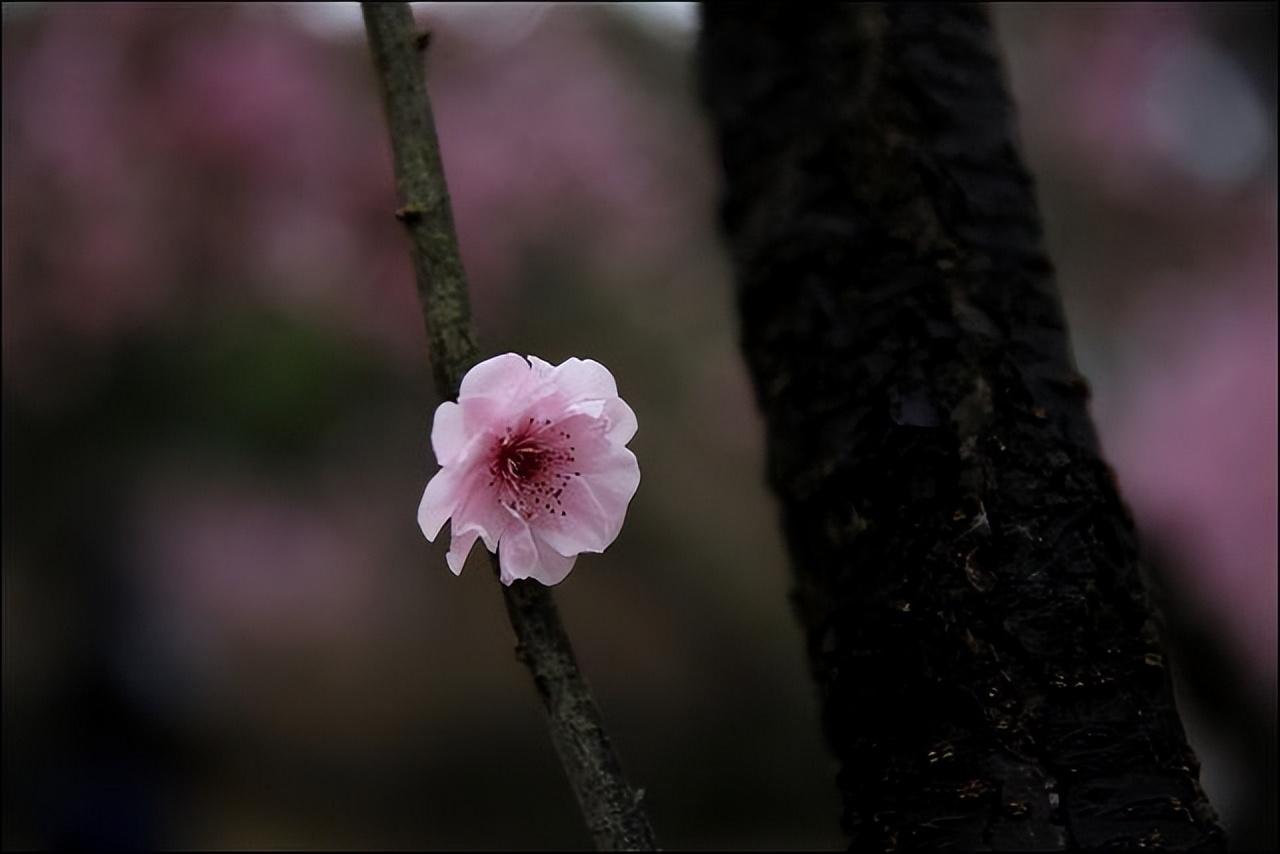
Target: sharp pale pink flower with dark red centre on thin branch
<point x="533" y="460"/>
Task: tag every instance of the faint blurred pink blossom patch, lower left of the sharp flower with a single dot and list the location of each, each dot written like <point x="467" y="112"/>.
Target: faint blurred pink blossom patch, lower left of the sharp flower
<point x="234" y="563"/>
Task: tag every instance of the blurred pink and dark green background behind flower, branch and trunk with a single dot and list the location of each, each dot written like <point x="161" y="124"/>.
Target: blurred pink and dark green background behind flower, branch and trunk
<point x="222" y="625"/>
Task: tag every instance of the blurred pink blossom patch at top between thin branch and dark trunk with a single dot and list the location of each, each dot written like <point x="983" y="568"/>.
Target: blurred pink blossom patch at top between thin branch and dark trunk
<point x="551" y="133"/>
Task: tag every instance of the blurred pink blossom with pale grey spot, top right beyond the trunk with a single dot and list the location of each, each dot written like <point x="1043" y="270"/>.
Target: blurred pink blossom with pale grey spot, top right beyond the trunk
<point x="1141" y="104"/>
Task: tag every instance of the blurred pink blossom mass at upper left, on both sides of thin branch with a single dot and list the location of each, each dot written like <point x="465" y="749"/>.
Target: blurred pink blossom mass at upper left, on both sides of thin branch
<point x="163" y="161"/>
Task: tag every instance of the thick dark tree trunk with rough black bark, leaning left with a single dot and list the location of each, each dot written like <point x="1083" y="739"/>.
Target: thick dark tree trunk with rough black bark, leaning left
<point x="966" y="572"/>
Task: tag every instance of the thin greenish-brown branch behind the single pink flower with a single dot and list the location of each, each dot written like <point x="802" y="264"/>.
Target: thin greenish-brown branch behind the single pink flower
<point x="612" y="810"/>
